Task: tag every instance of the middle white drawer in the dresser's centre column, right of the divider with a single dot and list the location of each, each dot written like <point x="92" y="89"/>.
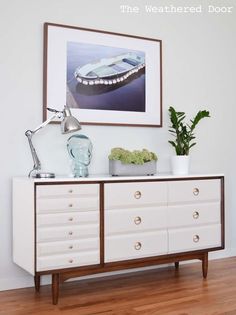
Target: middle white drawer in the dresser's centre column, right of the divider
<point x="135" y="220"/>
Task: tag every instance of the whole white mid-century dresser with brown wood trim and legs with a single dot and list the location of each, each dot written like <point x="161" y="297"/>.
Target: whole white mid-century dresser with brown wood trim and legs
<point x="70" y="227"/>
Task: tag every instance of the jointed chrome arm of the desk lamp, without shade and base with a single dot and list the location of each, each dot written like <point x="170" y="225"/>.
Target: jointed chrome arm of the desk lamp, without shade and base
<point x="29" y="134"/>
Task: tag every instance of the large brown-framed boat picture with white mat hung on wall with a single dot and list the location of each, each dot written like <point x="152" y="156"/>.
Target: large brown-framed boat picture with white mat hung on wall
<point x="105" y="78"/>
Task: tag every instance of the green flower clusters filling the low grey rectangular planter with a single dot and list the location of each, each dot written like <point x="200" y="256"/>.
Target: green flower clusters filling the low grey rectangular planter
<point x="135" y="157"/>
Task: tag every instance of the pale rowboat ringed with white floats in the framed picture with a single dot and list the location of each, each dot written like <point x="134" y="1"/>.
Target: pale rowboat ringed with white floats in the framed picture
<point x="111" y="70"/>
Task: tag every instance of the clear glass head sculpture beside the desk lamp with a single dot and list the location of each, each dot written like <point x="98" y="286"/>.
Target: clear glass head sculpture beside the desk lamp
<point x="80" y="150"/>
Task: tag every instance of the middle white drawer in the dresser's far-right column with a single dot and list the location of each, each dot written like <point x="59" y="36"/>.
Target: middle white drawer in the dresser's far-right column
<point x="194" y="214"/>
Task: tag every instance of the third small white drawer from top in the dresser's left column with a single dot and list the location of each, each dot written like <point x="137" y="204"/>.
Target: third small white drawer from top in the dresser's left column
<point x="68" y="218"/>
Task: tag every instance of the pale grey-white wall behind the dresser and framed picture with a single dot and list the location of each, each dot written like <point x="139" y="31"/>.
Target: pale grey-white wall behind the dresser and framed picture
<point x="199" y="71"/>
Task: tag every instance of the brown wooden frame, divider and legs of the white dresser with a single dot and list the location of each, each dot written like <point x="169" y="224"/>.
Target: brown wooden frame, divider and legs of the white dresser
<point x="61" y="275"/>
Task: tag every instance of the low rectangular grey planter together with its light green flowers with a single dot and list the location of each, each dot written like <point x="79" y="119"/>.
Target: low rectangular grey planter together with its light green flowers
<point x="137" y="162"/>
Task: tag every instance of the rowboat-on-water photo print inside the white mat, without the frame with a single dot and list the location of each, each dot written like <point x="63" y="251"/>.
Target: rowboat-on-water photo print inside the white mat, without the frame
<point x="105" y="78"/>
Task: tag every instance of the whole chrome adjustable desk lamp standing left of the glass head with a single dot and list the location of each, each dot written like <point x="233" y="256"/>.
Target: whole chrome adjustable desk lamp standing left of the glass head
<point x="68" y="124"/>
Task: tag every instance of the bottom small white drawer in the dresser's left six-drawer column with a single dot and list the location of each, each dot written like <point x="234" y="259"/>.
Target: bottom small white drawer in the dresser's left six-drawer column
<point x="68" y="261"/>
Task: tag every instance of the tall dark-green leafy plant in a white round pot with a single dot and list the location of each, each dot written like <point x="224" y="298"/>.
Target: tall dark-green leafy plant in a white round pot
<point x="184" y="138"/>
